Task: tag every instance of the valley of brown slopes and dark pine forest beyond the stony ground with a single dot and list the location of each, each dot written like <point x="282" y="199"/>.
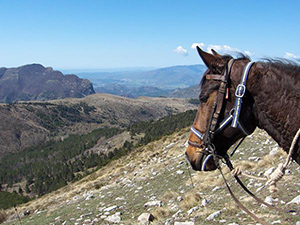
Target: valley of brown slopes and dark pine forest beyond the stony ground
<point x="54" y="143"/>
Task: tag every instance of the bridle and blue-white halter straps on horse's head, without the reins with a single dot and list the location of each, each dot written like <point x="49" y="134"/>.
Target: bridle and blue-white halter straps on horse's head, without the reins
<point x="213" y="127"/>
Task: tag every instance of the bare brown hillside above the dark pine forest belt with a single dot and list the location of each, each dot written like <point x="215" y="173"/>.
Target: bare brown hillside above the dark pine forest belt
<point x="31" y="123"/>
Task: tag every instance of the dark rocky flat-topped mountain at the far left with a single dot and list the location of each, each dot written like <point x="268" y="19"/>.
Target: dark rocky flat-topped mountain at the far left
<point x="35" y="82"/>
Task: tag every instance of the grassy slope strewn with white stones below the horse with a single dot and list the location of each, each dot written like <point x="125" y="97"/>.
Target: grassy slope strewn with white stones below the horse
<point x="155" y="179"/>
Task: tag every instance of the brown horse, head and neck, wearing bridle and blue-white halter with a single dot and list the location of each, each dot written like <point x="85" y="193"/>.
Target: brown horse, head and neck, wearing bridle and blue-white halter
<point x="236" y="97"/>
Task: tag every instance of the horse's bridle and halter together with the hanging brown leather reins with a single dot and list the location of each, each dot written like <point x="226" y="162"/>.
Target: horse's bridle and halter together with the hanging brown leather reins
<point x="213" y="127"/>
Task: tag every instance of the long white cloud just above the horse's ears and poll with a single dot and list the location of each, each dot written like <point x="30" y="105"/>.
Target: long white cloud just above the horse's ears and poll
<point x="221" y="49"/>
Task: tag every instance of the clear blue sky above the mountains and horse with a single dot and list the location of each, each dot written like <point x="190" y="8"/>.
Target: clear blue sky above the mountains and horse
<point x="99" y="34"/>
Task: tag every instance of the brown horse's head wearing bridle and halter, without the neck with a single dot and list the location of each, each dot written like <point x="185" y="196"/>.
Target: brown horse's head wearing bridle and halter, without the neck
<point x="212" y="131"/>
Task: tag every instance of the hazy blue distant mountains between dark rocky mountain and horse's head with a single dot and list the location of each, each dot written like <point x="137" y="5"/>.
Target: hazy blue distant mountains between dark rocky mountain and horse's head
<point x="164" y="79"/>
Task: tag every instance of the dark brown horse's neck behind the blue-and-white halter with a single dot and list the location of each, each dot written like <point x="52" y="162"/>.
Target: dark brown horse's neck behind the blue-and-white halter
<point x="275" y="90"/>
